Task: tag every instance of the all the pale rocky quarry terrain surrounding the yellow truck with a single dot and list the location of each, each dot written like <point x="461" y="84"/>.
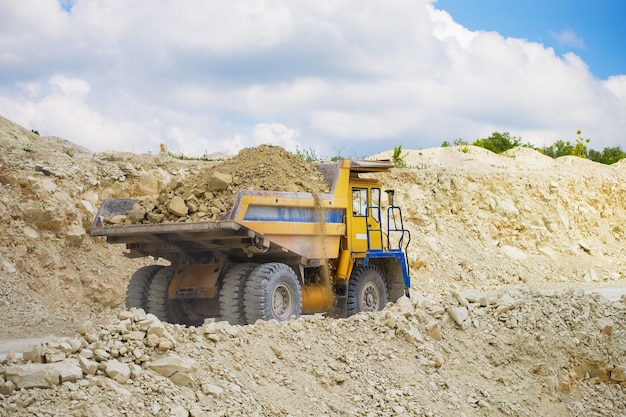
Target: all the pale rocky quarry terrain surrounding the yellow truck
<point x="503" y="249"/>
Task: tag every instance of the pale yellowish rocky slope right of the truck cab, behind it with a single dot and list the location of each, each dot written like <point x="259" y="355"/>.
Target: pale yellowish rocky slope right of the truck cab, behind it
<point x="486" y="220"/>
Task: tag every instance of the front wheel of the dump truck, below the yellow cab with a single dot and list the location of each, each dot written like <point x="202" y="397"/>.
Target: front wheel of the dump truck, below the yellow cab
<point x="367" y="290"/>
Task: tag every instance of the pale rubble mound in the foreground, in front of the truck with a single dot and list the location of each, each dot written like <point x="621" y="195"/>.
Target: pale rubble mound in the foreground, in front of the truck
<point x="542" y="353"/>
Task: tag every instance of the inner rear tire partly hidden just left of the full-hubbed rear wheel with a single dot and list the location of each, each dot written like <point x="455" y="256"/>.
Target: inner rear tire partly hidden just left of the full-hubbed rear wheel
<point x="231" y="293"/>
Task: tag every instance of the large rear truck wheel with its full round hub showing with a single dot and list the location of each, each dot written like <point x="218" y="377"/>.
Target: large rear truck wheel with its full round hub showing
<point x="272" y="292"/>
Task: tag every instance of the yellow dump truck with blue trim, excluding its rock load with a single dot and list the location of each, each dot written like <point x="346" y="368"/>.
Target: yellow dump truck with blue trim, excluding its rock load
<point x="274" y="255"/>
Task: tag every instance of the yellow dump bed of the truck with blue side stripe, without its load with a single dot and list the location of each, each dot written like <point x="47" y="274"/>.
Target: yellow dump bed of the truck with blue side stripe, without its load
<point x="278" y="225"/>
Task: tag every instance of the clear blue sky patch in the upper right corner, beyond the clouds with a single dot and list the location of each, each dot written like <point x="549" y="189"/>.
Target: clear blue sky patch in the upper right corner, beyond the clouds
<point x="593" y="29"/>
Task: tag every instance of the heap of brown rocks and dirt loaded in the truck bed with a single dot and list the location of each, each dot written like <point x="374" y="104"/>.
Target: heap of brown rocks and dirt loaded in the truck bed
<point x="209" y="194"/>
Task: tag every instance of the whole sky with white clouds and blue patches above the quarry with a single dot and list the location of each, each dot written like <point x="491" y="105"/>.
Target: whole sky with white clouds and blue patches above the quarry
<point x="346" y="78"/>
